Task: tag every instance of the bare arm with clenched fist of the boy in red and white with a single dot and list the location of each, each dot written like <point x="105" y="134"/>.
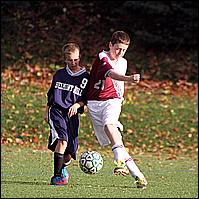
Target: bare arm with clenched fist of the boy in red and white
<point x="135" y="78"/>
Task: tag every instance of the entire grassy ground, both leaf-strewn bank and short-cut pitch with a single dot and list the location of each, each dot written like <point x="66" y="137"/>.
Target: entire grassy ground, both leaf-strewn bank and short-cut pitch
<point x="160" y="131"/>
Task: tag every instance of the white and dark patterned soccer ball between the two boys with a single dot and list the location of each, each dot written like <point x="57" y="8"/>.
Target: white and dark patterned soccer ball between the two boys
<point x="91" y="162"/>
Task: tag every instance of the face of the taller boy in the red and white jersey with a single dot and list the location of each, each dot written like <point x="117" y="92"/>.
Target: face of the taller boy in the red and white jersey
<point x="117" y="50"/>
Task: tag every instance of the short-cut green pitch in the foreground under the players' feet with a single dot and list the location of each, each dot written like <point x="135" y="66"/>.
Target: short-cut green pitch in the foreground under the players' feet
<point x="26" y="173"/>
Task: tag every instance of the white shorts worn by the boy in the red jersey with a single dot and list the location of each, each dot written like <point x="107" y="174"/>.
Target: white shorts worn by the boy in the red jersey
<point x="103" y="113"/>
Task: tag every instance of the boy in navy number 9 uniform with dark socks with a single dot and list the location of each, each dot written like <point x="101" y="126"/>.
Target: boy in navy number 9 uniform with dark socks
<point x="66" y="98"/>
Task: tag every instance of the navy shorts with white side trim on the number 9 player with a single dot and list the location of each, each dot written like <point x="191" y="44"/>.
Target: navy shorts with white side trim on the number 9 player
<point x="63" y="128"/>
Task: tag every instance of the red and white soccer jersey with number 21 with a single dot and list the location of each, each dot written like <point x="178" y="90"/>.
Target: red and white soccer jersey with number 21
<point x="101" y="87"/>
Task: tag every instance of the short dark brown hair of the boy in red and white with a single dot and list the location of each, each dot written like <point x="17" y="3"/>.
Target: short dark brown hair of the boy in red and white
<point x="120" y="37"/>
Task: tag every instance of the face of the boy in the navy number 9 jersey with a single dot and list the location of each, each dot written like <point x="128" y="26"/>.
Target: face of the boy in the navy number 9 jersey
<point x="72" y="59"/>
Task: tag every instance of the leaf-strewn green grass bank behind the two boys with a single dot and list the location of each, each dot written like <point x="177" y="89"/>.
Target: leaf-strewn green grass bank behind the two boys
<point x="152" y="121"/>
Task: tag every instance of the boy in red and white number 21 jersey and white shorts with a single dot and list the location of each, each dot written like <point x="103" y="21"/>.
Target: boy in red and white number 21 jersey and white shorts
<point x="104" y="101"/>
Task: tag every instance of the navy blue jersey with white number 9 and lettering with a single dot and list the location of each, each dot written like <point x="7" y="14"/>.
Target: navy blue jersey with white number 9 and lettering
<point x="67" y="88"/>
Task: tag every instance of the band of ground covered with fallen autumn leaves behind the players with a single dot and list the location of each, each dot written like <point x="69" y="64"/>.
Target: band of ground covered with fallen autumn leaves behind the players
<point x="158" y="116"/>
